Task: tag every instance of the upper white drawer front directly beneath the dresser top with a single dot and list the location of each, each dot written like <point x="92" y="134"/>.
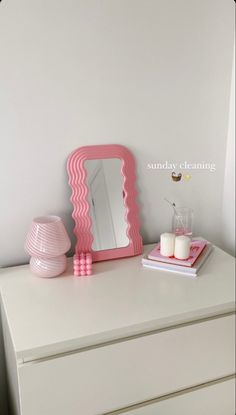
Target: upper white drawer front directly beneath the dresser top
<point x="115" y="376"/>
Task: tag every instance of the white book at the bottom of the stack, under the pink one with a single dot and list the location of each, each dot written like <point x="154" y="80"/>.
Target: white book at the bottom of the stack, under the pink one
<point x="178" y="269"/>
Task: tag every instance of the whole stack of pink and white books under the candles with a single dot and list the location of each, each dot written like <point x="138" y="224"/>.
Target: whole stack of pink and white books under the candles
<point x="199" y="252"/>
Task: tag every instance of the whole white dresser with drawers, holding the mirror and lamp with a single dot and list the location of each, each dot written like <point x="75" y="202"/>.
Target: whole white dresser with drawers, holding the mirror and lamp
<point x="126" y="340"/>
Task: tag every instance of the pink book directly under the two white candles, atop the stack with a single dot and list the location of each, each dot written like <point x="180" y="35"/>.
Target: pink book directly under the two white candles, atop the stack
<point x="196" y="249"/>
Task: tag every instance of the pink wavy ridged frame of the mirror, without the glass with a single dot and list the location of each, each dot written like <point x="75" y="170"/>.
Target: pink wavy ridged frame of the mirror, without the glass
<point x="77" y="180"/>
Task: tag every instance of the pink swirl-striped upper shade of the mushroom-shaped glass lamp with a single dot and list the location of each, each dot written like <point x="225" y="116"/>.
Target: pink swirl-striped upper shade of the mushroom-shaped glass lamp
<point x="47" y="237"/>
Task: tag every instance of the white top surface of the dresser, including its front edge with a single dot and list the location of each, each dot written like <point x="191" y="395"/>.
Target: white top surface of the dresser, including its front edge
<point x="121" y="299"/>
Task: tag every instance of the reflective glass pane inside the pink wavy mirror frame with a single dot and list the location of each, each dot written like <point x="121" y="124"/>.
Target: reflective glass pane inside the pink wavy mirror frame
<point x="106" y="200"/>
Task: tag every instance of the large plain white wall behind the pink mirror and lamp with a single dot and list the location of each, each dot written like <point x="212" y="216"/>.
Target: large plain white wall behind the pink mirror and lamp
<point x="150" y="74"/>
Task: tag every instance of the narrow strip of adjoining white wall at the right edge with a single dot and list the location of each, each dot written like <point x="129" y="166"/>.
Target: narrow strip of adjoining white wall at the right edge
<point x="228" y="216"/>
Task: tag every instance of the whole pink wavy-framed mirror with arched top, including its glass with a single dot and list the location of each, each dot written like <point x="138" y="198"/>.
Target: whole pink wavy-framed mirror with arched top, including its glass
<point x="104" y="197"/>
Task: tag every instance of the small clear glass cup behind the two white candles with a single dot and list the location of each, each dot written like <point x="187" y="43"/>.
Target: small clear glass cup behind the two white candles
<point x="182" y="223"/>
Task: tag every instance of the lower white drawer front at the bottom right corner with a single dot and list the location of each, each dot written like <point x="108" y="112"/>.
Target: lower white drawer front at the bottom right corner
<point x="212" y="400"/>
